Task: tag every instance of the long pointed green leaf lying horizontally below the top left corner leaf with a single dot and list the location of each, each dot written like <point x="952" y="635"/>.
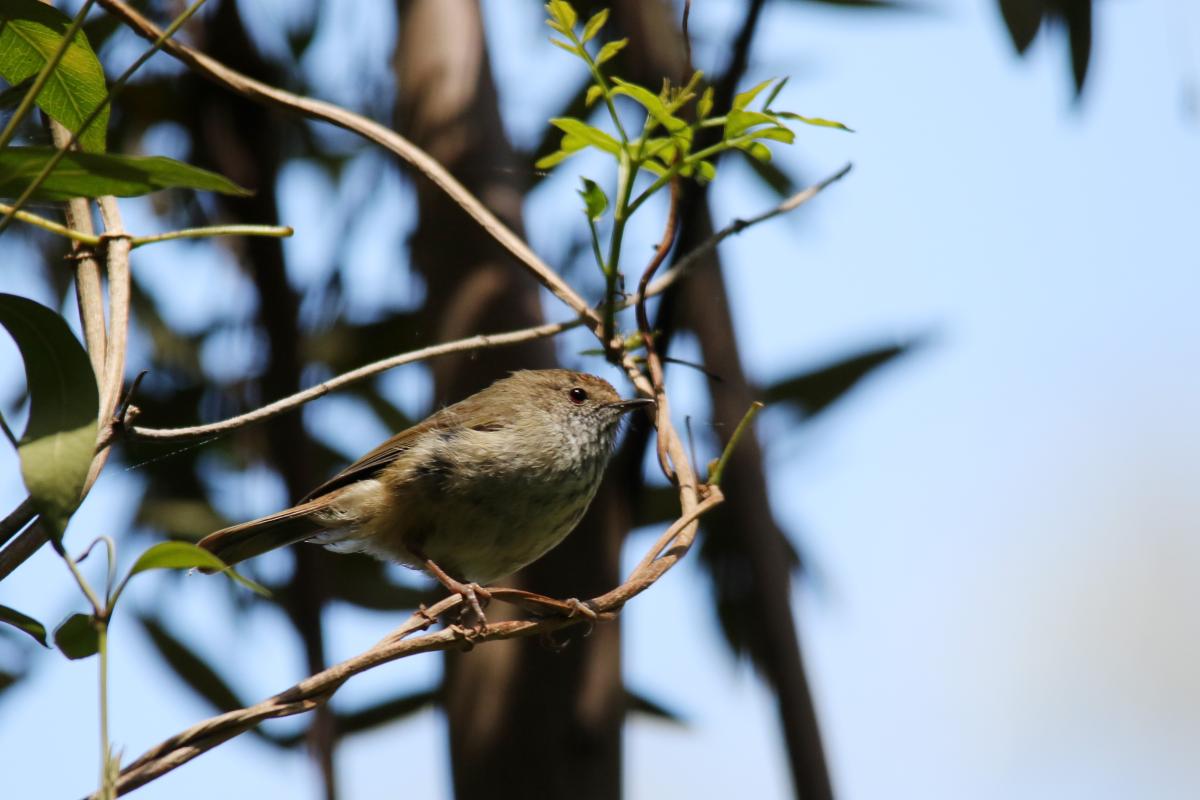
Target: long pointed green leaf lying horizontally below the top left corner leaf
<point x="81" y="175"/>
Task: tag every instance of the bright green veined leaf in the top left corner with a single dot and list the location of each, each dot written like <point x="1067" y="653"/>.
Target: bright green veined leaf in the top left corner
<point x="31" y="33"/>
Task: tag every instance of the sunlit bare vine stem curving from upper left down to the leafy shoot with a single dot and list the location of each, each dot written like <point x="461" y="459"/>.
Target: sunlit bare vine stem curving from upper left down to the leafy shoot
<point x="370" y="130"/>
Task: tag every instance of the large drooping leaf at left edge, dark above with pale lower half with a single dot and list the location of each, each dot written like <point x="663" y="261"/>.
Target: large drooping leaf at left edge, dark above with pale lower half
<point x="57" y="447"/>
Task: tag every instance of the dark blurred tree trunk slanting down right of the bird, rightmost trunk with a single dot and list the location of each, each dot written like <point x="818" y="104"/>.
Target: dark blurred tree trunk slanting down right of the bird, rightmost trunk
<point x="745" y="549"/>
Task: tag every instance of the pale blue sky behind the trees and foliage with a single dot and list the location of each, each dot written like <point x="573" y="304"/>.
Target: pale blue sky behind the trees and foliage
<point x="1003" y="527"/>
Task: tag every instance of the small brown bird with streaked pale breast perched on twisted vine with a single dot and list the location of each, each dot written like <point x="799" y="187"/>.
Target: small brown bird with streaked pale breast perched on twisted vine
<point x="471" y="495"/>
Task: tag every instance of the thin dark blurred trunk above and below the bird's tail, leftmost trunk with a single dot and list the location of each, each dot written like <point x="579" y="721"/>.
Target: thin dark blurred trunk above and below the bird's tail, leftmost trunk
<point x="242" y="140"/>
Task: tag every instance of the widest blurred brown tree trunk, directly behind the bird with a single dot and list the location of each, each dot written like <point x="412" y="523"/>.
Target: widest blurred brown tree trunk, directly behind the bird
<point x="512" y="703"/>
